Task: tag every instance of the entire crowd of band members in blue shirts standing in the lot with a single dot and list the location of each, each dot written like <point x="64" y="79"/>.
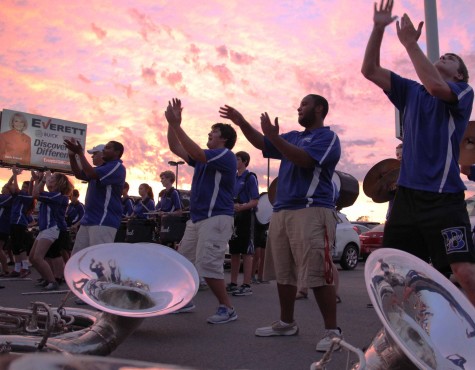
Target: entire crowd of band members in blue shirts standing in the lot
<point x="303" y="224"/>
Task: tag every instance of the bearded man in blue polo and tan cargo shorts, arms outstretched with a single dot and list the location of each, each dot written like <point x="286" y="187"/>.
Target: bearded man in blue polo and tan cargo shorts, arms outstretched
<point x="303" y="224"/>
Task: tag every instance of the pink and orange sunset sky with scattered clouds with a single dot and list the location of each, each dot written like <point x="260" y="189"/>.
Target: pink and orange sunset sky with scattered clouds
<point x="114" y="64"/>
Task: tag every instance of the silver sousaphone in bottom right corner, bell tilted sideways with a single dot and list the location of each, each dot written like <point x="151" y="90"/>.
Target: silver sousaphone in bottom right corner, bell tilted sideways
<point x="427" y="322"/>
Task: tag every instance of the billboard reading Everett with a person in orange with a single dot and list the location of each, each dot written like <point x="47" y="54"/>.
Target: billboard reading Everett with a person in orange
<point x="35" y="141"/>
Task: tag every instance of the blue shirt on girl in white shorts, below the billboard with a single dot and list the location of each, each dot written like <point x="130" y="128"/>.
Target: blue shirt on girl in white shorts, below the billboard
<point x="52" y="210"/>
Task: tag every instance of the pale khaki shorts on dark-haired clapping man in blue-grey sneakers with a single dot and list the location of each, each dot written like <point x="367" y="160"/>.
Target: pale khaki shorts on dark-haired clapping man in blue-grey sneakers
<point x="204" y="244"/>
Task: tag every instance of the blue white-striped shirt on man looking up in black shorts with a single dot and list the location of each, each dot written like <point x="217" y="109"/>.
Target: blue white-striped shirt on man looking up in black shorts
<point x="433" y="130"/>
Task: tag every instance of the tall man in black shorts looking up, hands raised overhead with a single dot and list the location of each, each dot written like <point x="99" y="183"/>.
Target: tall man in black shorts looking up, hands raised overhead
<point x="428" y="218"/>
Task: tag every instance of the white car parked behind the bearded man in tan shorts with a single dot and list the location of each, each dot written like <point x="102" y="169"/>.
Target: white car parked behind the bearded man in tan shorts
<point x="347" y="244"/>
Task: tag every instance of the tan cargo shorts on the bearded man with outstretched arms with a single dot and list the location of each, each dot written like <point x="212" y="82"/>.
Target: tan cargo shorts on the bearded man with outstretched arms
<point x="296" y="246"/>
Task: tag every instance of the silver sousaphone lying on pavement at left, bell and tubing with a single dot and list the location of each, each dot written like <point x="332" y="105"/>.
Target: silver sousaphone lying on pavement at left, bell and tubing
<point x="127" y="282"/>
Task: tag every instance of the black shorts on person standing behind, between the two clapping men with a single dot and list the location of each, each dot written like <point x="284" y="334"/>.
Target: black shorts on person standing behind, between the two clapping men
<point x="242" y="240"/>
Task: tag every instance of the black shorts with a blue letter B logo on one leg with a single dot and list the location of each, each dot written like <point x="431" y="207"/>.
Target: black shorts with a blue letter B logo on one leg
<point x="432" y="226"/>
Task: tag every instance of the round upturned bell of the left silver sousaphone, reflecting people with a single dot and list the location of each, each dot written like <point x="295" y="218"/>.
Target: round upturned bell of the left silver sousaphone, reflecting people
<point x="133" y="280"/>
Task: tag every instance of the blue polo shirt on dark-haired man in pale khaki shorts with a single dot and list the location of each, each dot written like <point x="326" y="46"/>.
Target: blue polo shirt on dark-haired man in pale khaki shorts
<point x="212" y="187"/>
